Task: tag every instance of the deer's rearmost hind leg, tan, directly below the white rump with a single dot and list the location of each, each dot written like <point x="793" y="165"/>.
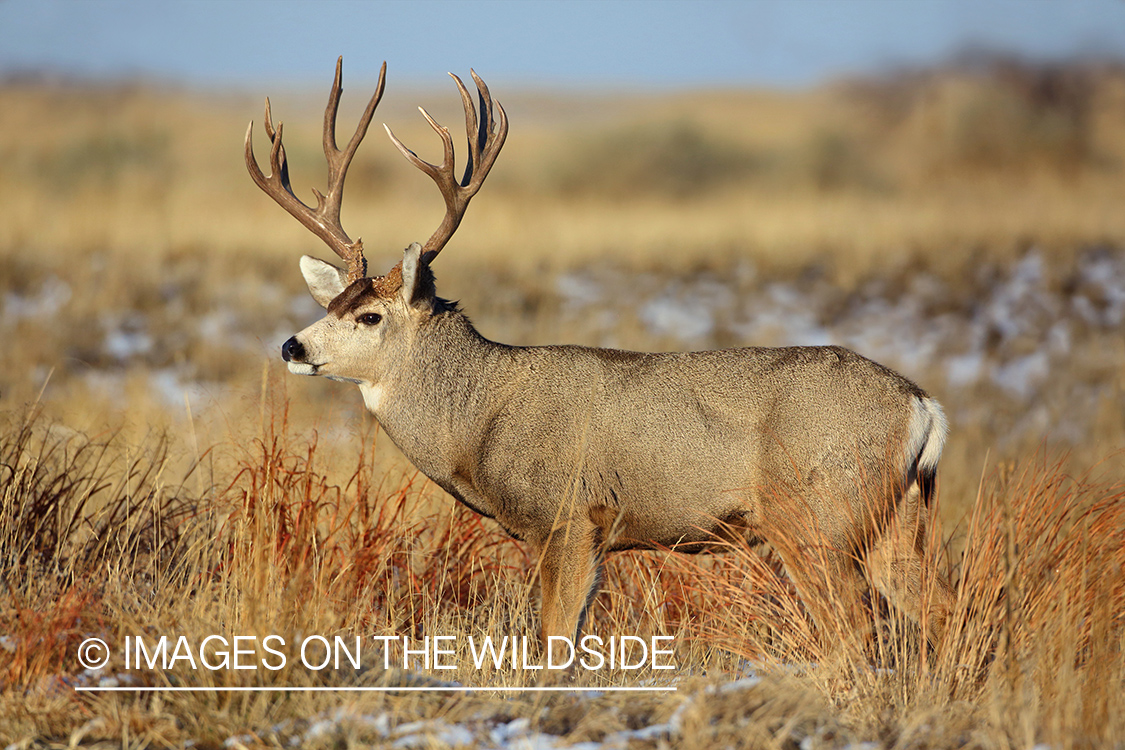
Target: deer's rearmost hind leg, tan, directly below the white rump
<point x="899" y="567"/>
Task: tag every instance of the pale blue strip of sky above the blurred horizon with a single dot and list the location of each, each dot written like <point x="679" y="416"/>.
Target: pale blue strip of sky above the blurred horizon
<point x="606" y="43"/>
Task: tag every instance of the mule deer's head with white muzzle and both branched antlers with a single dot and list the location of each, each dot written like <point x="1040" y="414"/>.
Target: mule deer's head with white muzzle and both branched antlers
<point x="368" y="315"/>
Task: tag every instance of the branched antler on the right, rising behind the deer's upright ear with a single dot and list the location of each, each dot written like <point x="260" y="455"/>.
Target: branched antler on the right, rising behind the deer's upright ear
<point x="485" y="139"/>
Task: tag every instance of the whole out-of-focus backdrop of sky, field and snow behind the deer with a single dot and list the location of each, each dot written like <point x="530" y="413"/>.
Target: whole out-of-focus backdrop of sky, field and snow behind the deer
<point x="938" y="185"/>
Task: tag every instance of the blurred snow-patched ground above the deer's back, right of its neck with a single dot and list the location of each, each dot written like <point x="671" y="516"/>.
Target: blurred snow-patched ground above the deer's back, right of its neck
<point x="1012" y="330"/>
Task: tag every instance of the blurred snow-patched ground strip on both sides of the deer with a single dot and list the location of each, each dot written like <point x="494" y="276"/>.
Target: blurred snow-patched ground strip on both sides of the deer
<point x="1011" y="330"/>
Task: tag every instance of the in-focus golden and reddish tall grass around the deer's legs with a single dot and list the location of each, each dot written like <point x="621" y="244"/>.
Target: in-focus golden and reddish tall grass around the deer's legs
<point x="281" y="545"/>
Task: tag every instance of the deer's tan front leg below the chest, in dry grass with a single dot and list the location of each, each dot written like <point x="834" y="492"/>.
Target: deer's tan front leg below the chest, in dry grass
<point x="569" y="575"/>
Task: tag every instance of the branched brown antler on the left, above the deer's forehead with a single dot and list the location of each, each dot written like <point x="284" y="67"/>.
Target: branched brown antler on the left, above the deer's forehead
<point x="323" y="221"/>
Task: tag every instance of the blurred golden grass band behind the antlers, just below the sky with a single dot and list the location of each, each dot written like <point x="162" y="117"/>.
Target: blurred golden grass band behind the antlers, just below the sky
<point x="152" y="175"/>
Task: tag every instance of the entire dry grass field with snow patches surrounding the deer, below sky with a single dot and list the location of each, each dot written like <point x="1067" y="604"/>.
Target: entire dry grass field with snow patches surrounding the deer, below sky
<point x="164" y="475"/>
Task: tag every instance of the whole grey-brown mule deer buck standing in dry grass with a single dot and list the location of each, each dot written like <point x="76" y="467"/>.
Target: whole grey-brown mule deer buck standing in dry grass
<point x="583" y="451"/>
